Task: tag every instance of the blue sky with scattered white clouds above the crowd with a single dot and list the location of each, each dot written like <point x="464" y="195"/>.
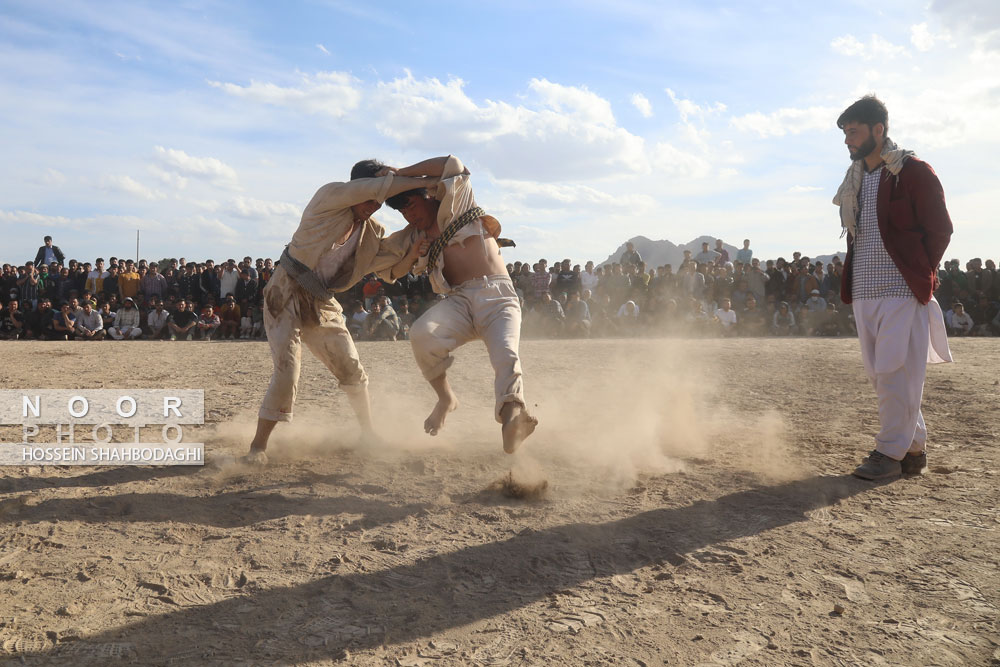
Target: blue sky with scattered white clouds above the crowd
<point x="209" y="125"/>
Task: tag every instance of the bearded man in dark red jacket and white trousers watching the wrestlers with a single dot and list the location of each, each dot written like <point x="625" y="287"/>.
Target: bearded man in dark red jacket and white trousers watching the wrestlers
<point x="889" y="275"/>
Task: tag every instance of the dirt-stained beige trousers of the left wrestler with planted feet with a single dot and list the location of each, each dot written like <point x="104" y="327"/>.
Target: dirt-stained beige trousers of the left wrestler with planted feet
<point x="292" y="316"/>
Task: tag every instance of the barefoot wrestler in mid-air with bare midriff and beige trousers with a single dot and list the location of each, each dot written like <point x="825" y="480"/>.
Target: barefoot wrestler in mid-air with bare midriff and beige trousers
<point x="464" y="262"/>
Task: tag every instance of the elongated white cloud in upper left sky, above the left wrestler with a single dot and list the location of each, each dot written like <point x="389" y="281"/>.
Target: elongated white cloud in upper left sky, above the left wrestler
<point x="332" y="93"/>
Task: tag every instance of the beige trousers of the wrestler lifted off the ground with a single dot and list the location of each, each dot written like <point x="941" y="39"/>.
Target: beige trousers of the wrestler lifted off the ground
<point x="487" y="309"/>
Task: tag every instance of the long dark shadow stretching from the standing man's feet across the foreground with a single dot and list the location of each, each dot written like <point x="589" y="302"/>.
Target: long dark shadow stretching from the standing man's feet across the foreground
<point x="320" y="619"/>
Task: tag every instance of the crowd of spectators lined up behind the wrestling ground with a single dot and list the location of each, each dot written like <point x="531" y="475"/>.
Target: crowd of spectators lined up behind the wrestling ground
<point x="709" y="294"/>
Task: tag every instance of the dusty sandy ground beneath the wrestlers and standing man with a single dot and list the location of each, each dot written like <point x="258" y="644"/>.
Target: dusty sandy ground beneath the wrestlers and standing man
<point x="699" y="511"/>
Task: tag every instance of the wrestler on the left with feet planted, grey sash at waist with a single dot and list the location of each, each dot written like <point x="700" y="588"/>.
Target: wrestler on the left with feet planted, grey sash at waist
<point x="336" y="244"/>
